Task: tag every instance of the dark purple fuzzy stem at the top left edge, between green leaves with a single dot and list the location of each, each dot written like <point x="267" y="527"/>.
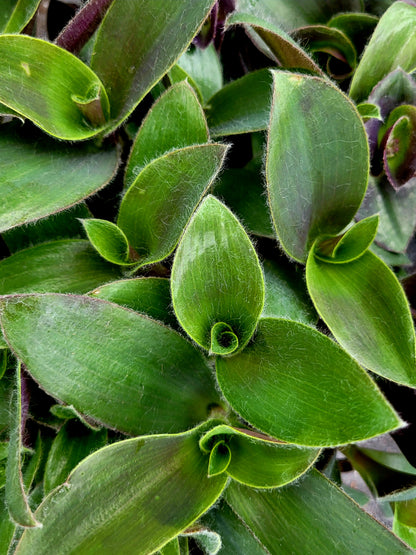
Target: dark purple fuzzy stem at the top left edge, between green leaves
<point x="81" y="27"/>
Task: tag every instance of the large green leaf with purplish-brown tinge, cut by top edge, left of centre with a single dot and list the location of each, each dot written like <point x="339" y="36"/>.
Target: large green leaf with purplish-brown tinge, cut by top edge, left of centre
<point x="151" y="44"/>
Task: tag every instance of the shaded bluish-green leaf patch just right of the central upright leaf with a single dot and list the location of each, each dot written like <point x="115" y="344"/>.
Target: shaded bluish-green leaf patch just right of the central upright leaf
<point x="286" y="293"/>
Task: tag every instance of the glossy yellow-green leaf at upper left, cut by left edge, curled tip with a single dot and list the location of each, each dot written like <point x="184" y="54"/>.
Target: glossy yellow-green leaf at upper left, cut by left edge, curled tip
<point x="51" y="87"/>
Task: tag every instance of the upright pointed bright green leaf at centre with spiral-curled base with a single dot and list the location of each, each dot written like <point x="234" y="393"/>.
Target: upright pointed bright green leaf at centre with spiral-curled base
<point x="217" y="282"/>
